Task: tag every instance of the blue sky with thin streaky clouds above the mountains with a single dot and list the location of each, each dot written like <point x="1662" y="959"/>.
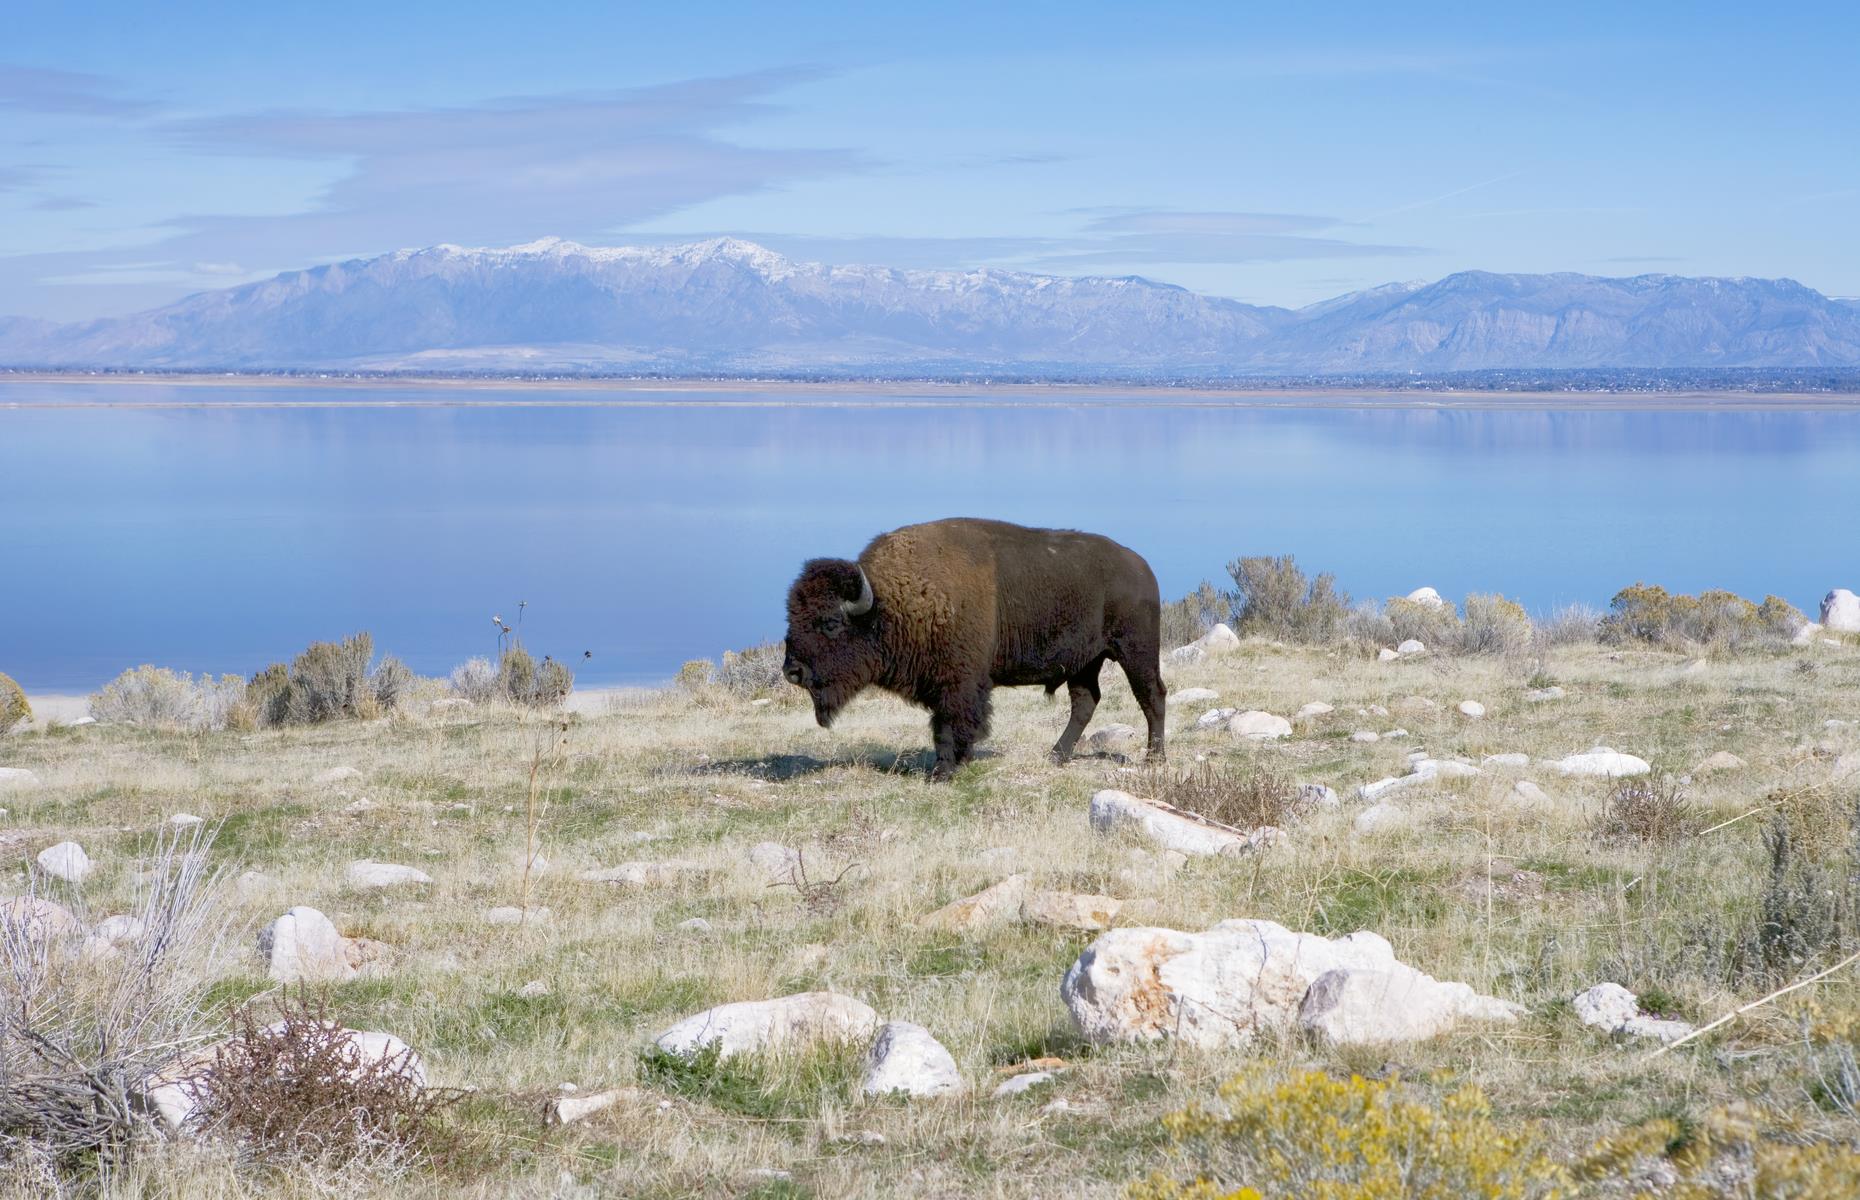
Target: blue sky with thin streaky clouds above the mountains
<point x="1271" y="153"/>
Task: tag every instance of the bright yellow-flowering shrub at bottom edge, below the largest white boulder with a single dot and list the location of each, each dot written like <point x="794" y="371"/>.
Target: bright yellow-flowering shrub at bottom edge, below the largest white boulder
<point x="1314" y="1136"/>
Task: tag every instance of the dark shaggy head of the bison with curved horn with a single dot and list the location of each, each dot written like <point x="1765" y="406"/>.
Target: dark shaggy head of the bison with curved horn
<point x="832" y="639"/>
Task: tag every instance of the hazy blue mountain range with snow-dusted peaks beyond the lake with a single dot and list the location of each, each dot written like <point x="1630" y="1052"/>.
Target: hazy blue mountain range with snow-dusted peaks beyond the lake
<point x="730" y="306"/>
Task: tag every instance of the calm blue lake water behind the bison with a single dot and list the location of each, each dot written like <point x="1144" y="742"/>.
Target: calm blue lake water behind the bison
<point x="226" y="539"/>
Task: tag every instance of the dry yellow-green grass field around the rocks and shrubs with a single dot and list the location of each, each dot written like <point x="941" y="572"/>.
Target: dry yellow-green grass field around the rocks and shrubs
<point x="1530" y="901"/>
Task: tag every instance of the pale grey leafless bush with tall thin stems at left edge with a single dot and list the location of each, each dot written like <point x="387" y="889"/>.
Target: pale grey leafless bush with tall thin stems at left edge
<point x="83" y="1030"/>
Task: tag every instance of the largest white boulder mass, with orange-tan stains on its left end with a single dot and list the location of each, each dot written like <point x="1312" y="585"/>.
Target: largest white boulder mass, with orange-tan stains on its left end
<point x="1223" y="987"/>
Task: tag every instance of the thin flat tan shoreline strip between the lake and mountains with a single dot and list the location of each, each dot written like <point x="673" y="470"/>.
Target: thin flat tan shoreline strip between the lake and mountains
<point x="903" y="393"/>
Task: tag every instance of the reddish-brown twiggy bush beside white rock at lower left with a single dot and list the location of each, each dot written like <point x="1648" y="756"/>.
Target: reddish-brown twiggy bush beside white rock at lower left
<point x="299" y="1087"/>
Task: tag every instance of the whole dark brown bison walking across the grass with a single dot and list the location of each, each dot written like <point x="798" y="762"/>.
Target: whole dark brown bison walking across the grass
<point x="948" y="611"/>
